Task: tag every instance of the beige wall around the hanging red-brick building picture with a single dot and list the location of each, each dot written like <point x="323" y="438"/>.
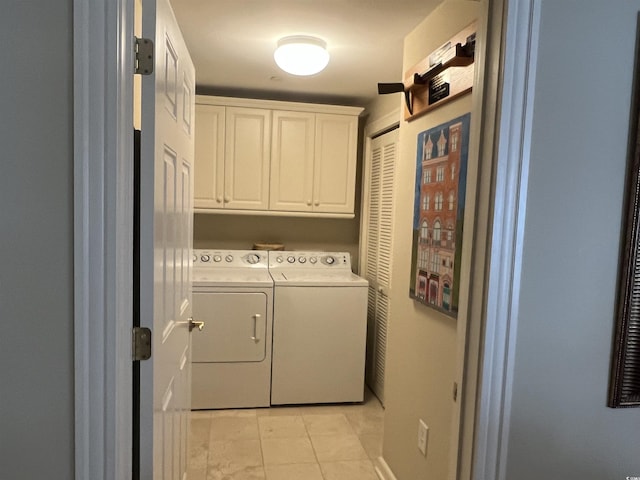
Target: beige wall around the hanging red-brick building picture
<point x="421" y="356"/>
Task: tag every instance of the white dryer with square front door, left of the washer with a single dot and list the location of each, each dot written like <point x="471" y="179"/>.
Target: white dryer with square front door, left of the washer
<point x="231" y="357"/>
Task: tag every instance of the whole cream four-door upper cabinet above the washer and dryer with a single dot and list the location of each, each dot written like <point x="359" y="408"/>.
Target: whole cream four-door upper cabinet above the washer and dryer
<point x="275" y="158"/>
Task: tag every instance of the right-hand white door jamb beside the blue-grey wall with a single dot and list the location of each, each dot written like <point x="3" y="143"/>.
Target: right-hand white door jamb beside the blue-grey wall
<point x="512" y="55"/>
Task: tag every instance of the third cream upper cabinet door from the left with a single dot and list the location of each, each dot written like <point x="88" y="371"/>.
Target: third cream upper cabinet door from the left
<point x="292" y="151"/>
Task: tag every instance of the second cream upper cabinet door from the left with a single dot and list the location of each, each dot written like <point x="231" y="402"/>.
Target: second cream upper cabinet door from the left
<point x="247" y="156"/>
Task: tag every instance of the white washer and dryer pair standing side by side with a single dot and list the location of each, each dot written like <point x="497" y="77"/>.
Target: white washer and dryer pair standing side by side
<point x="281" y="327"/>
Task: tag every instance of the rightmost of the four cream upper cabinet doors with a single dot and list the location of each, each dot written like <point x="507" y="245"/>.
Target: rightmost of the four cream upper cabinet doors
<point x="335" y="163"/>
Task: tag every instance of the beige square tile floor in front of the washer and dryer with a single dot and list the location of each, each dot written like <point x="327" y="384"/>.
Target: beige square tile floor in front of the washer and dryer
<point x="329" y="442"/>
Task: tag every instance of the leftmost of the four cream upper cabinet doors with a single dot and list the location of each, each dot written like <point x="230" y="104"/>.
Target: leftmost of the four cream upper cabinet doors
<point x="209" y="157"/>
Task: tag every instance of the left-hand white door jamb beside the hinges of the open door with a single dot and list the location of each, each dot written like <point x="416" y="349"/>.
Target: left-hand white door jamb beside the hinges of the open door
<point x="103" y="236"/>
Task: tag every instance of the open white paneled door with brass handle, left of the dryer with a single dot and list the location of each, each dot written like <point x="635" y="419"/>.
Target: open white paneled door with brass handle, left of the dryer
<point x="167" y="151"/>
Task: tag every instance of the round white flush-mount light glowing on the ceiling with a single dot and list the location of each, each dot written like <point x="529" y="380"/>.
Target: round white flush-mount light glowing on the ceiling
<point x="301" y="55"/>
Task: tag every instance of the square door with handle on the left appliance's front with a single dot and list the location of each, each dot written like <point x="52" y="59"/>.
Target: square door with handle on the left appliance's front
<point x="235" y="327"/>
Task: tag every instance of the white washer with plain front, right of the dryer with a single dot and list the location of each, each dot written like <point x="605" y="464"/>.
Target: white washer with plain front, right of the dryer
<point x="319" y="330"/>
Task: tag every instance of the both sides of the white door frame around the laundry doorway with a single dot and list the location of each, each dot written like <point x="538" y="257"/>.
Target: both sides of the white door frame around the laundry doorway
<point x="103" y="206"/>
